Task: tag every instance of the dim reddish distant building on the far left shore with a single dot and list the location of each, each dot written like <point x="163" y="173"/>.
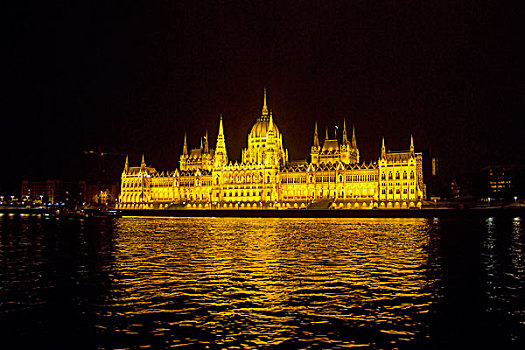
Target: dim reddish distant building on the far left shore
<point x="54" y="191"/>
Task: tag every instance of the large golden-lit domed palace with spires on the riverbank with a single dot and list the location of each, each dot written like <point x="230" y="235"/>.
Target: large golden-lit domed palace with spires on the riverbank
<point x="266" y="178"/>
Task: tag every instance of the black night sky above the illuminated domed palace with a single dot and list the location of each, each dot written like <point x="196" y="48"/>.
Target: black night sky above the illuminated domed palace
<point x="132" y="77"/>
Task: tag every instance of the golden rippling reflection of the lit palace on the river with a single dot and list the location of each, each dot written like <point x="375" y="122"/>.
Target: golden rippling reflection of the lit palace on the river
<point x="235" y="282"/>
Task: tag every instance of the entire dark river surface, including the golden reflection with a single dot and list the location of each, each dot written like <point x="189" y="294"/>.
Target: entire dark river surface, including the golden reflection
<point x="262" y="283"/>
